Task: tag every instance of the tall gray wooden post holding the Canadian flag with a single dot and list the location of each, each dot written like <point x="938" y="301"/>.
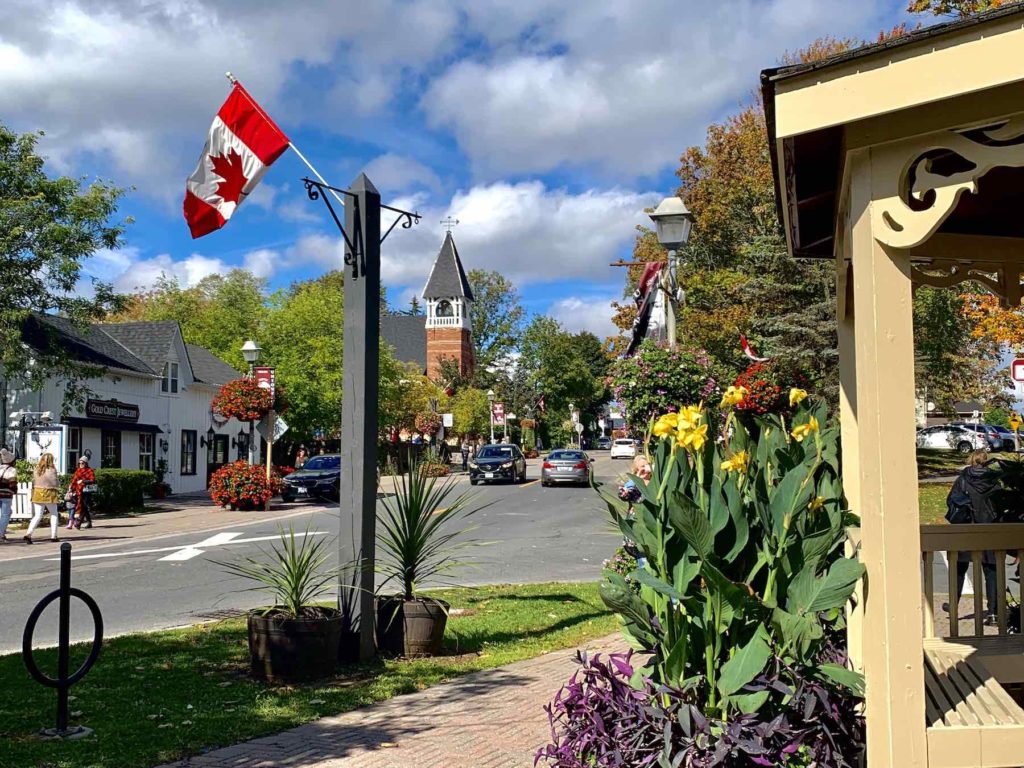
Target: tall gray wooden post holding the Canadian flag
<point x="359" y="411"/>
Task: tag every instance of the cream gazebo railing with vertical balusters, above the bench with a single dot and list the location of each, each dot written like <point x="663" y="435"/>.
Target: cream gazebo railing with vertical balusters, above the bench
<point x="1001" y="539"/>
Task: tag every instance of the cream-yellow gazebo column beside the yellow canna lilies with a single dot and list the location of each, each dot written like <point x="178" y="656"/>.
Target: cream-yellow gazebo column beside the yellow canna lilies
<point x="886" y="486"/>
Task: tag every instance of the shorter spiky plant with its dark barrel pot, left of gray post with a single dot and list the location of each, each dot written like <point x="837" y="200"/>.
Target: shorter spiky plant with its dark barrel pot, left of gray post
<point x="293" y="639"/>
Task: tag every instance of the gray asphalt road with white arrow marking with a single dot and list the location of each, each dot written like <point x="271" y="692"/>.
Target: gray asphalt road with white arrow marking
<point x="532" y="535"/>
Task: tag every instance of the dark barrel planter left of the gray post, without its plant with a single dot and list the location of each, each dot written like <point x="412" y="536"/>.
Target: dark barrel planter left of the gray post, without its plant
<point x="284" y="651"/>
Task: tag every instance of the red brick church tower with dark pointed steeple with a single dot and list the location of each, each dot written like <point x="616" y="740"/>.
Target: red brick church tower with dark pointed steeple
<point x="449" y="297"/>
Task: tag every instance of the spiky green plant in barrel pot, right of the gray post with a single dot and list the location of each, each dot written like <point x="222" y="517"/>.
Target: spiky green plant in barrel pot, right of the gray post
<point x="419" y="538"/>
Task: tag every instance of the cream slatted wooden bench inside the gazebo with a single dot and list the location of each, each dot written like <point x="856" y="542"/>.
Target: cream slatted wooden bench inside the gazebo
<point x="972" y="721"/>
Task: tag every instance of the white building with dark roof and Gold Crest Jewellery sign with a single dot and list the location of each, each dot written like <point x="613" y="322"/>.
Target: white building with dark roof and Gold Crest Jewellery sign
<point x="154" y="405"/>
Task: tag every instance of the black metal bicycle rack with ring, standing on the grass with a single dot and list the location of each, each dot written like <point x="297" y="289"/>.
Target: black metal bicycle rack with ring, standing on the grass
<point x="64" y="680"/>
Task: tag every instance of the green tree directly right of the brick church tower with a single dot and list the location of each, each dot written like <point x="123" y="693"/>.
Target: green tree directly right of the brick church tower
<point x="497" y="317"/>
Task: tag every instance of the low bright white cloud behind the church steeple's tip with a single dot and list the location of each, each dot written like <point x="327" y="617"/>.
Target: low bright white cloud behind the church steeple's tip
<point x="528" y="232"/>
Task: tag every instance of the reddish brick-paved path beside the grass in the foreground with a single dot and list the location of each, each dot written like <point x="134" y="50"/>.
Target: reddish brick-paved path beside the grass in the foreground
<point x="492" y="719"/>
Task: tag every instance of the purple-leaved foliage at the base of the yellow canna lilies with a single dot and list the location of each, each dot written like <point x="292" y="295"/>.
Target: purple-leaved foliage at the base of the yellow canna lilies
<point x="605" y="718"/>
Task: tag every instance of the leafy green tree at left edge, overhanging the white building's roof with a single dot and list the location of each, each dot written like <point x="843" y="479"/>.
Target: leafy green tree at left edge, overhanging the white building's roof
<point x="50" y="228"/>
